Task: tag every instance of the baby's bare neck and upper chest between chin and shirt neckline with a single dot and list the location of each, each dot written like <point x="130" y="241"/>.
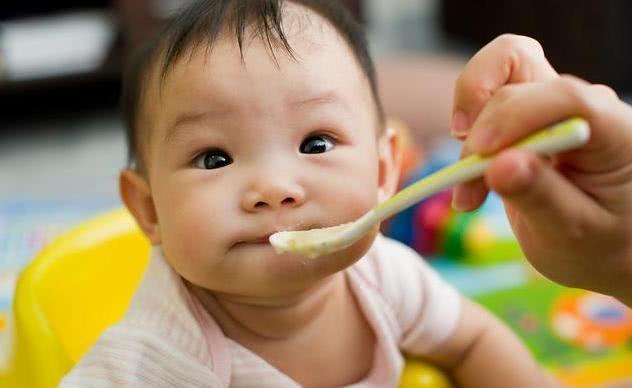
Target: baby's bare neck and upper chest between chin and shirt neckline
<point x="320" y="326"/>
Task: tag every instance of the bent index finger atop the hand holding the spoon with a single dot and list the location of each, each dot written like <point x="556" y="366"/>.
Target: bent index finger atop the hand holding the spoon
<point x="507" y="59"/>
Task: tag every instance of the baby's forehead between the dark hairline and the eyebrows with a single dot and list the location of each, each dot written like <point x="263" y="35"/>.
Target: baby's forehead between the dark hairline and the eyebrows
<point x="223" y="86"/>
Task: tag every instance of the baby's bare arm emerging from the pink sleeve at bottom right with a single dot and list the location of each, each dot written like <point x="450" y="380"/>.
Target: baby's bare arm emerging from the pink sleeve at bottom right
<point x="498" y="359"/>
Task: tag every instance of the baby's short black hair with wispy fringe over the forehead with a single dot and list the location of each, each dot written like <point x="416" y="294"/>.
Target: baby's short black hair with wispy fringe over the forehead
<point x="201" y="22"/>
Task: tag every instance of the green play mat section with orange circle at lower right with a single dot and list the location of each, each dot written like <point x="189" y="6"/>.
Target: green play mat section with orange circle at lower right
<point x="583" y="338"/>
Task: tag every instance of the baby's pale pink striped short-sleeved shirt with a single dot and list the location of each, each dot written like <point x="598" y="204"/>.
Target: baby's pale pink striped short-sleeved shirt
<point x="168" y="340"/>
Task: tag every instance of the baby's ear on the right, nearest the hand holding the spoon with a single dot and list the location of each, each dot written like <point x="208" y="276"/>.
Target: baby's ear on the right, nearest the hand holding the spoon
<point x="390" y="155"/>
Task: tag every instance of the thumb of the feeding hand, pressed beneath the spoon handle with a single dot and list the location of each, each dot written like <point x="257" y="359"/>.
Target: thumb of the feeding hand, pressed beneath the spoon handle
<point x="546" y="203"/>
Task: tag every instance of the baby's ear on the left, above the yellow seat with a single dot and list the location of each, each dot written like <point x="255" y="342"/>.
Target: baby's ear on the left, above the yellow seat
<point x="136" y="195"/>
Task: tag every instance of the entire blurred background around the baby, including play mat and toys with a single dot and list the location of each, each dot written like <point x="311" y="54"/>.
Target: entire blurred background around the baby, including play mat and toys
<point x="62" y="141"/>
